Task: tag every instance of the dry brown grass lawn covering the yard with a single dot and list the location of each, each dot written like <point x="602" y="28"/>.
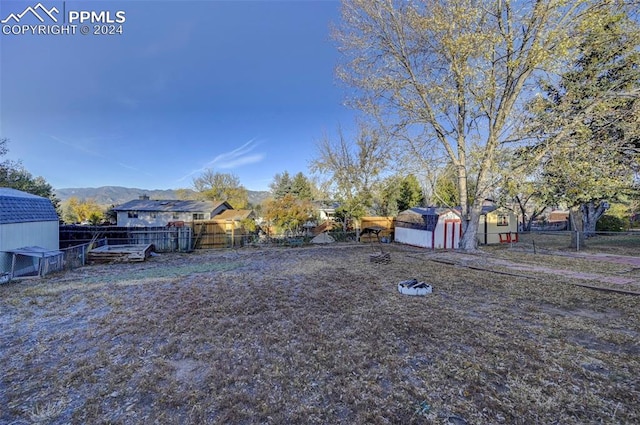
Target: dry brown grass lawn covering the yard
<point x="321" y="335"/>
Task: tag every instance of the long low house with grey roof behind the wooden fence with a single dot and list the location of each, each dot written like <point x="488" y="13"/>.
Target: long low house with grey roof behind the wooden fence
<point x="145" y="212"/>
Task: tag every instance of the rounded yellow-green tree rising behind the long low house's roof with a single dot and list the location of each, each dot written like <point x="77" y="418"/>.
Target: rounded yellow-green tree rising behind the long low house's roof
<point x="222" y="187"/>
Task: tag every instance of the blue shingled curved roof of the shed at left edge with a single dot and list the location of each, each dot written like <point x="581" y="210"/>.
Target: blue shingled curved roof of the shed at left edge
<point x="22" y="207"/>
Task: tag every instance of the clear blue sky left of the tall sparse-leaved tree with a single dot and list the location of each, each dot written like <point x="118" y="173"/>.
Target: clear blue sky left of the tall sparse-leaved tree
<point x="242" y="87"/>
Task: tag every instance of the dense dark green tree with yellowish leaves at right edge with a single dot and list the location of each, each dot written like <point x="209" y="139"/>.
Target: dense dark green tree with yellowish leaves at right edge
<point x="588" y="122"/>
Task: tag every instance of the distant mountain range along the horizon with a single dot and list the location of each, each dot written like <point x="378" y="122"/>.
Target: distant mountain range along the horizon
<point x="116" y="195"/>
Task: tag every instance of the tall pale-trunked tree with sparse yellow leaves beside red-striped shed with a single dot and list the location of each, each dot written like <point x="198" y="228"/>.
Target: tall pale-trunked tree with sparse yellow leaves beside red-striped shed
<point x="453" y="73"/>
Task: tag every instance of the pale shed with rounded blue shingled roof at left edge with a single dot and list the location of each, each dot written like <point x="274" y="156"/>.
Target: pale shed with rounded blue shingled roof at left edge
<point x="26" y="220"/>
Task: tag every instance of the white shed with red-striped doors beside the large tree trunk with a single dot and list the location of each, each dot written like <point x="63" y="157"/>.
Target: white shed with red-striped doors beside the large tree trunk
<point x="435" y="228"/>
